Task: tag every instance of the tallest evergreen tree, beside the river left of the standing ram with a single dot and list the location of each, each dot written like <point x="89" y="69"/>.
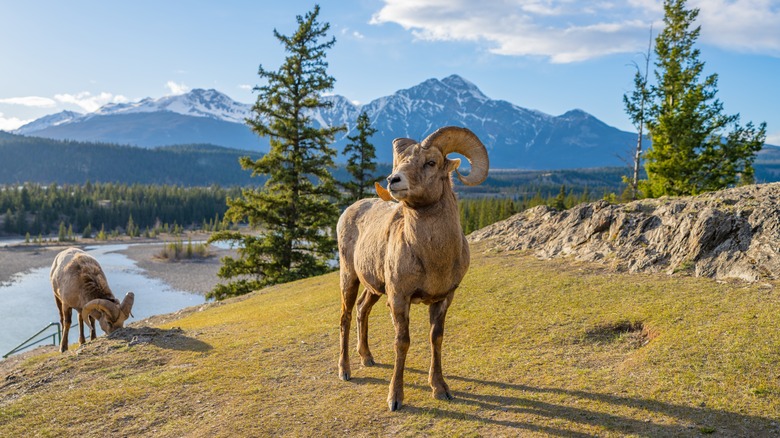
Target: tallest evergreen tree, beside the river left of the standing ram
<point x="294" y="211"/>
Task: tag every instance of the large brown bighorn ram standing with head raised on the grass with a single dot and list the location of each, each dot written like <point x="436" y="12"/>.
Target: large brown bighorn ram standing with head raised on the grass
<point x="414" y="250"/>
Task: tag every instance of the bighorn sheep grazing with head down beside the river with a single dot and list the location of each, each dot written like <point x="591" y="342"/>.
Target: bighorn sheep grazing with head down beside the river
<point x="79" y="283"/>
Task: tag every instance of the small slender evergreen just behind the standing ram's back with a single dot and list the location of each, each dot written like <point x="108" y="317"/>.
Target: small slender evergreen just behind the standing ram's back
<point x="361" y="154"/>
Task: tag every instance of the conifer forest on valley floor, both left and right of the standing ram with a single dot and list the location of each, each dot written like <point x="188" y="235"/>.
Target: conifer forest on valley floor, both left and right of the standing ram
<point x="40" y="210"/>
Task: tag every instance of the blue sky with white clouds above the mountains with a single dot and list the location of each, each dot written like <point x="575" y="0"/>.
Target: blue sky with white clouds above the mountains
<point x="547" y="55"/>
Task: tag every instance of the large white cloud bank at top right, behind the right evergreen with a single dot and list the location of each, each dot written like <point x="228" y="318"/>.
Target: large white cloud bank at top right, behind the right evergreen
<point x="576" y="30"/>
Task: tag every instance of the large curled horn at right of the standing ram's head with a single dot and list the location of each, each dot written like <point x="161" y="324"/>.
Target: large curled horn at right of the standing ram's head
<point x="462" y="141"/>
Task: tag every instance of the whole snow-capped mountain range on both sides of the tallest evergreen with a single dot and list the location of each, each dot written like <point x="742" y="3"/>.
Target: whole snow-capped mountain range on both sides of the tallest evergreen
<point x="516" y="137"/>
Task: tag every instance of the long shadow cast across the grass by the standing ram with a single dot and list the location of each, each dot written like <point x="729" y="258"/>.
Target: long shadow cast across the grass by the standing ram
<point x="649" y="418"/>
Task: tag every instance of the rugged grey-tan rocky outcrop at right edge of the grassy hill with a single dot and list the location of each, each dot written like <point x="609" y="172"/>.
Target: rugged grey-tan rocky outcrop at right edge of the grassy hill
<point x="732" y="233"/>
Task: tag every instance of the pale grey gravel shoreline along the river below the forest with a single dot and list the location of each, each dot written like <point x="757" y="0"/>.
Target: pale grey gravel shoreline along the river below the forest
<point x="194" y="276"/>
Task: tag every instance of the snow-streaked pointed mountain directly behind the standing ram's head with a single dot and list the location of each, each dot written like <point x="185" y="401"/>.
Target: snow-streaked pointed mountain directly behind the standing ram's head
<point x="516" y="137"/>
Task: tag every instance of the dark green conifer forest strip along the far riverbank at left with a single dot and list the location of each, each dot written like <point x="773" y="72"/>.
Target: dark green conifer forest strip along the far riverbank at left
<point x="42" y="210"/>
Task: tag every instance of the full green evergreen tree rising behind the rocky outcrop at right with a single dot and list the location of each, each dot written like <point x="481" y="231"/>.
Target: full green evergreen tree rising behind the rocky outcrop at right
<point x="690" y="152"/>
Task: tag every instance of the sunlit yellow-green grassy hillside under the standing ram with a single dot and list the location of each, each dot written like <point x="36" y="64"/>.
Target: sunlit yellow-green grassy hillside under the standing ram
<point x="531" y="347"/>
